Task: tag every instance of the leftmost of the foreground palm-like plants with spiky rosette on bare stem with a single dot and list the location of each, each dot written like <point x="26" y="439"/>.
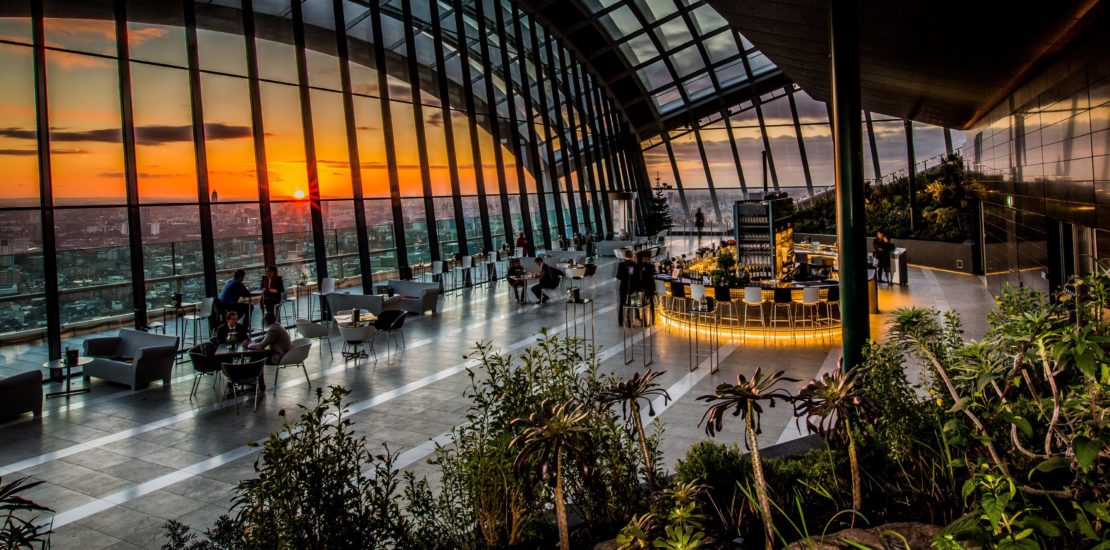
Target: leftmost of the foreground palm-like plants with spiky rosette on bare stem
<point x="552" y="434"/>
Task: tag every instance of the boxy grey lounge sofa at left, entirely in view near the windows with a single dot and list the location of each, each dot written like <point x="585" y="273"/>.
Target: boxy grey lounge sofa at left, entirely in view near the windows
<point x="134" y="358"/>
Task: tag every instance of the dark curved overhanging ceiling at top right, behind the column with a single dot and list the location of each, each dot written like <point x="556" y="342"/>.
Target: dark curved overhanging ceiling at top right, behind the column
<point x="944" y="63"/>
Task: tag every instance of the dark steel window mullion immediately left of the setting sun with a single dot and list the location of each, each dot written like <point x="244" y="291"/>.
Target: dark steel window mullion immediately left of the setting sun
<point x="259" y="135"/>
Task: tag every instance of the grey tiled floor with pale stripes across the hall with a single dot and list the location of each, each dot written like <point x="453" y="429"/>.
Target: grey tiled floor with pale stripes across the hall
<point x="117" y="465"/>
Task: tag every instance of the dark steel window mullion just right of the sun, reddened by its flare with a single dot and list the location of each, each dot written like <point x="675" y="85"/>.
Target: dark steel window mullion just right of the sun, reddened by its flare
<point x="320" y="248"/>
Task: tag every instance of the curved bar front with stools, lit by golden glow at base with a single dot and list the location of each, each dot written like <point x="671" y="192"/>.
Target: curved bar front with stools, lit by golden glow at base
<point x="784" y="311"/>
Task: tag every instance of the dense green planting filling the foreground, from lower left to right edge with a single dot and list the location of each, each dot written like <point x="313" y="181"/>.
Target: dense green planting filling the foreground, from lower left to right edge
<point x="1005" y="443"/>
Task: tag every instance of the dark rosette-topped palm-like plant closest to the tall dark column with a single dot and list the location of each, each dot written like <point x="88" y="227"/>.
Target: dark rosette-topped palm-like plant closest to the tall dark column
<point x="829" y="404"/>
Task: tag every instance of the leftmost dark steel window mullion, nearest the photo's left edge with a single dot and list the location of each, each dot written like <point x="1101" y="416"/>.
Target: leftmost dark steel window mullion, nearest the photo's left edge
<point x="46" y="186"/>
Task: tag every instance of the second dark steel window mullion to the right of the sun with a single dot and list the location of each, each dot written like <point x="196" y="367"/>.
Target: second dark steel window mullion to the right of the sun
<point x="366" y="269"/>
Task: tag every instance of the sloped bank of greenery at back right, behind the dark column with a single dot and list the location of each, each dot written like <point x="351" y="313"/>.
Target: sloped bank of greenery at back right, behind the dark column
<point x="942" y="199"/>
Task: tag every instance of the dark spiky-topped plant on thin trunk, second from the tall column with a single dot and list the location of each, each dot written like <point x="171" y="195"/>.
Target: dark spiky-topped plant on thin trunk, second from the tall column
<point x="745" y="399"/>
